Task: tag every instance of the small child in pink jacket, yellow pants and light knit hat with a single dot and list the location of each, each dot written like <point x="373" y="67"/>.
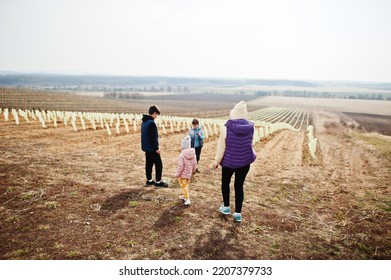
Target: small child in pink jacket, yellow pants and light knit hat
<point x="187" y="165"/>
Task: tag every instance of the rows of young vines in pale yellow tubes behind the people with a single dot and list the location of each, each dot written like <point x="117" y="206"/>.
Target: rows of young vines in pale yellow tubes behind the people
<point x="284" y="119"/>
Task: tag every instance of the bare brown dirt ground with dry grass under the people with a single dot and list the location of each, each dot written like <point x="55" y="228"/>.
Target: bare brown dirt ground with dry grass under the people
<point x="81" y="195"/>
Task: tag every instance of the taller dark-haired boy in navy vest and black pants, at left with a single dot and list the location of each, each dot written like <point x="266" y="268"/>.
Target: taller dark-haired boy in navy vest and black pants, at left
<point x="150" y="145"/>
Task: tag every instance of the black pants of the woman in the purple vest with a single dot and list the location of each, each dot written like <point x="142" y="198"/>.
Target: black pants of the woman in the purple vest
<point x="240" y="176"/>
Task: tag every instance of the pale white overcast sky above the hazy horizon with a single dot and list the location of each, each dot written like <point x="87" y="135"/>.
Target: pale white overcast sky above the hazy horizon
<point x="265" y="39"/>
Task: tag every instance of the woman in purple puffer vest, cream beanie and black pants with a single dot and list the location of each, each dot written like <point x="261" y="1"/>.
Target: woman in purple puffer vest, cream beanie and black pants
<point x="235" y="154"/>
